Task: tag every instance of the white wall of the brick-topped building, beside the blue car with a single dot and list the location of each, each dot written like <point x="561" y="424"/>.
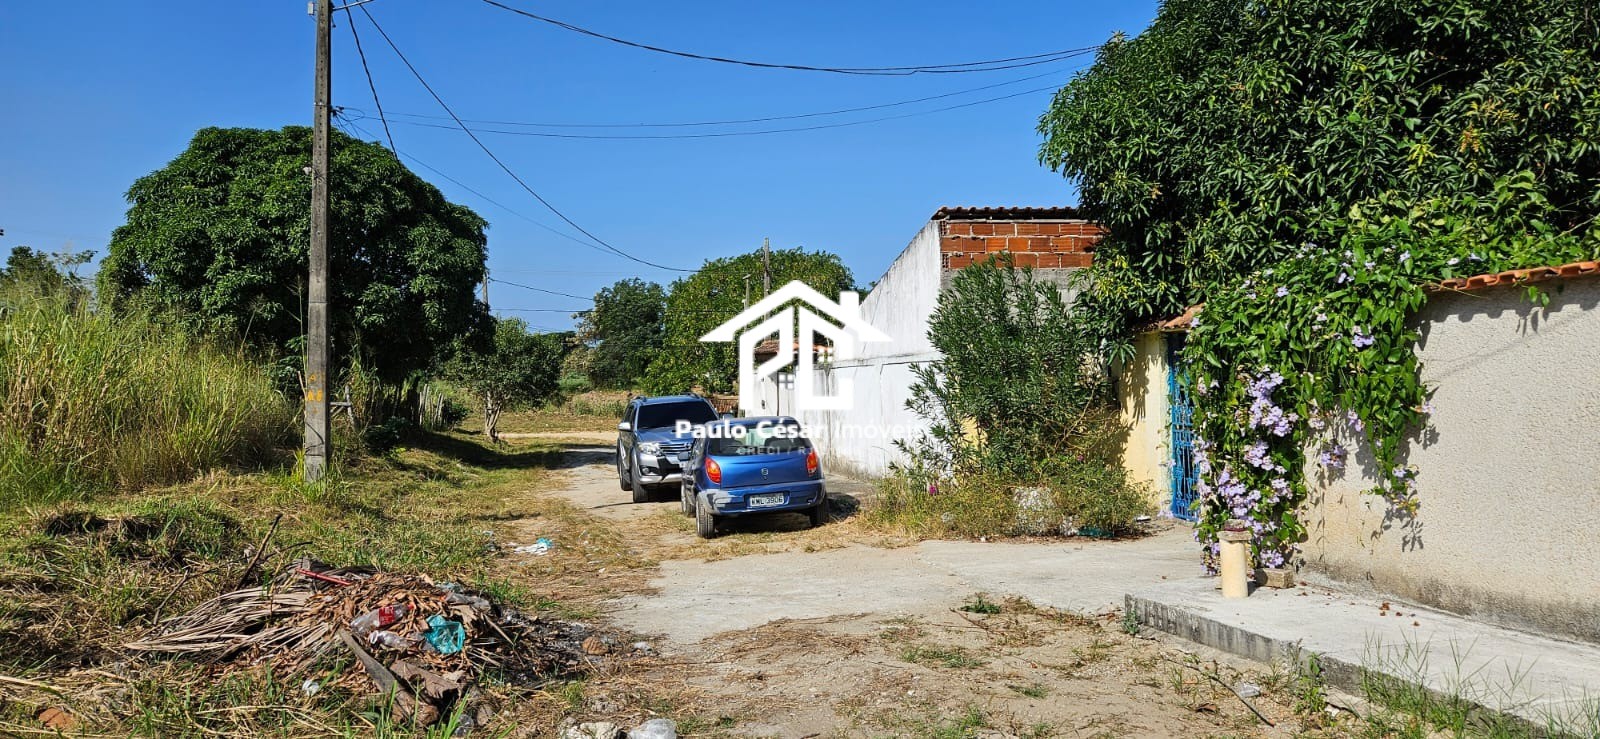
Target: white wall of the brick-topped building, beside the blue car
<point x="860" y="441"/>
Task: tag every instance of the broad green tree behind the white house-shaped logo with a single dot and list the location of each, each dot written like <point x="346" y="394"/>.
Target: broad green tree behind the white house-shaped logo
<point x="716" y="294"/>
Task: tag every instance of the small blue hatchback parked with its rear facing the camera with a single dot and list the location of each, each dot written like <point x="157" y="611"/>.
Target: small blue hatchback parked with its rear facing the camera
<point x="751" y="466"/>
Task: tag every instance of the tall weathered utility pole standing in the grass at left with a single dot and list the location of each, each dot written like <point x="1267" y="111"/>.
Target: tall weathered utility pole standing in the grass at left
<point x="318" y="282"/>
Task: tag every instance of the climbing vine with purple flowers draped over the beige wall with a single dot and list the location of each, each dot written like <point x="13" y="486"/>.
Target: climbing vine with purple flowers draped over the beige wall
<point x="1324" y="343"/>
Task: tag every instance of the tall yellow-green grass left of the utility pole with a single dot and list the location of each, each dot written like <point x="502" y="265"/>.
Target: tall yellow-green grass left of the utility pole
<point x="92" y="402"/>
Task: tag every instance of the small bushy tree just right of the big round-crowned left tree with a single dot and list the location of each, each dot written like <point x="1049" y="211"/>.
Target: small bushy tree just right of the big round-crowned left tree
<point x="518" y="370"/>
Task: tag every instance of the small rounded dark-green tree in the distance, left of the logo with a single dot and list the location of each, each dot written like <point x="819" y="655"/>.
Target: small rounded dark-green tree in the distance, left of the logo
<point x="630" y="329"/>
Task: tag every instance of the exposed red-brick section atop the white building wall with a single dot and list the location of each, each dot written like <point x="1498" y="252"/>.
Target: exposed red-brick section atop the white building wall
<point x="1031" y="244"/>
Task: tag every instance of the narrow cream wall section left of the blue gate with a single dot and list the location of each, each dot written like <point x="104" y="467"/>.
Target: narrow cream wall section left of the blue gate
<point x="1142" y="393"/>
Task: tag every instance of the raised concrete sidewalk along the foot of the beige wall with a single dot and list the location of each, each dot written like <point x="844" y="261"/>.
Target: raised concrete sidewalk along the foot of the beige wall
<point x="1542" y="681"/>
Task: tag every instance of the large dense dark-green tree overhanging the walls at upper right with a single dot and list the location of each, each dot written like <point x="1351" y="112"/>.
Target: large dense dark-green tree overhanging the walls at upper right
<point x="1233" y="132"/>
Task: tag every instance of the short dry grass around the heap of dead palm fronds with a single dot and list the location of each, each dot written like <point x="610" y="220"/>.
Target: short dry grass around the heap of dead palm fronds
<point x="79" y="581"/>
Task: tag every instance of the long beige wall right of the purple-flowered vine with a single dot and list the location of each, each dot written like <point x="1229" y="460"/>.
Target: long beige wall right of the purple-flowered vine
<point x="1510" y="489"/>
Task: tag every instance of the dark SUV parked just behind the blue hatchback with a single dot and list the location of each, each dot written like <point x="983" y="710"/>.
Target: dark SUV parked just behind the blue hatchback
<point x="649" y="442"/>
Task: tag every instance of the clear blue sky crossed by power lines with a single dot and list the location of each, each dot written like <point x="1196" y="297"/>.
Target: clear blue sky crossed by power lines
<point x="100" y="94"/>
